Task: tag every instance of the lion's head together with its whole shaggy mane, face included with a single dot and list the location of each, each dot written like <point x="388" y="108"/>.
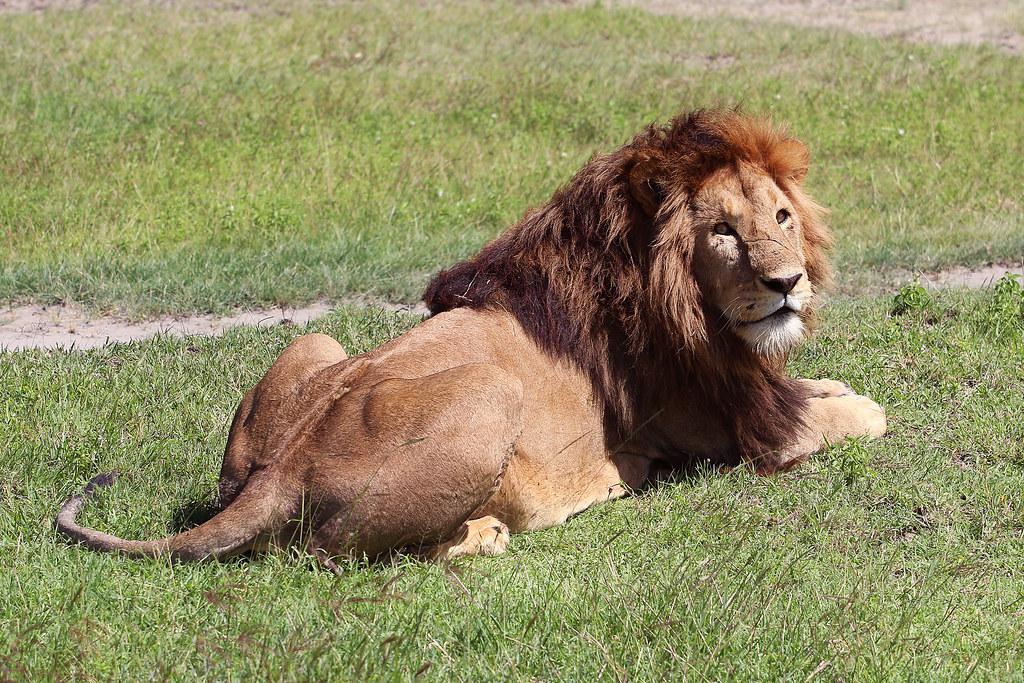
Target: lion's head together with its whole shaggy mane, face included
<point x="688" y="261"/>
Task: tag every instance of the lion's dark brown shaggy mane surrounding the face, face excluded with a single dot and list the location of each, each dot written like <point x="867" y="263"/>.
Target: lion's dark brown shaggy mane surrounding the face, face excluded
<point x="591" y="280"/>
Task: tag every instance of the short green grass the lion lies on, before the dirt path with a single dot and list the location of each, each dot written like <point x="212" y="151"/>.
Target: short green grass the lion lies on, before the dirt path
<point x="901" y="560"/>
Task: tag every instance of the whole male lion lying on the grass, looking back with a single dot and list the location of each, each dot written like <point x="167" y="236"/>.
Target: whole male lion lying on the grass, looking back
<point x="637" y="322"/>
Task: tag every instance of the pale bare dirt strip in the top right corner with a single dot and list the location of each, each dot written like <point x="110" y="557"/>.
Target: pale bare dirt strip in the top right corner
<point x="945" y="22"/>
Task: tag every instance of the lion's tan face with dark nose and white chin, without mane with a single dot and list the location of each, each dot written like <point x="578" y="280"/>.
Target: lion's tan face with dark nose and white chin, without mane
<point x="749" y="259"/>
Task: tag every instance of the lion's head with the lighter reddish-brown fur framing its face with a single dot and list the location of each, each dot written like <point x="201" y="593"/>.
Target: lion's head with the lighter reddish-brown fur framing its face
<point x="735" y="234"/>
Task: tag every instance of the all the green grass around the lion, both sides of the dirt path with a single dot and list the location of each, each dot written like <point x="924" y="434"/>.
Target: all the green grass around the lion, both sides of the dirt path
<point x="181" y="158"/>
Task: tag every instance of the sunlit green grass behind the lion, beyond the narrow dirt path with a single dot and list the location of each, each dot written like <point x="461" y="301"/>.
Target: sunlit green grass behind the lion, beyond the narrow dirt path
<point x="159" y="158"/>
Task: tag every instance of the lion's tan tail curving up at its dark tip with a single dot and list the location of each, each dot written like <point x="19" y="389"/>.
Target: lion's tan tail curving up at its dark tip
<point x="261" y="507"/>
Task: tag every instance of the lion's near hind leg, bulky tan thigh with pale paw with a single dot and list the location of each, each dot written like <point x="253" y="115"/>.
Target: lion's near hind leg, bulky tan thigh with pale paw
<point x="426" y="454"/>
